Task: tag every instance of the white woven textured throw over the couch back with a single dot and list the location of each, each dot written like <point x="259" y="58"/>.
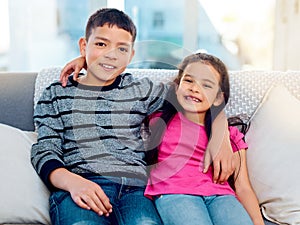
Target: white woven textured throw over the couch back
<point x="247" y="87"/>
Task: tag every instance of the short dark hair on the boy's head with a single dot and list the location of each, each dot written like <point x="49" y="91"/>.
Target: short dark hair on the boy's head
<point x="110" y="17"/>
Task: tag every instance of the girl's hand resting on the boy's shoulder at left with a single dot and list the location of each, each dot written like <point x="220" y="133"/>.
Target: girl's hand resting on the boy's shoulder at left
<point x="75" y="66"/>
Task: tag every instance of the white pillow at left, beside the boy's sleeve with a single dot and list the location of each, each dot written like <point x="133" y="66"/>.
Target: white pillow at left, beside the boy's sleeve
<point x="23" y="196"/>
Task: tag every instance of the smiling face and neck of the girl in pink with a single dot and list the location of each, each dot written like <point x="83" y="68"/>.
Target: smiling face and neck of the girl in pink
<point x="198" y="90"/>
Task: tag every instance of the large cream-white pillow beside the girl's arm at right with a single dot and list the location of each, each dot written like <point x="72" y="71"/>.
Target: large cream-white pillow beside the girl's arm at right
<point x="274" y="154"/>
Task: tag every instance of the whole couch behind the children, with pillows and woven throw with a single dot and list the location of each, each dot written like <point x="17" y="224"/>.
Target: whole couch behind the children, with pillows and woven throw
<point x="268" y="100"/>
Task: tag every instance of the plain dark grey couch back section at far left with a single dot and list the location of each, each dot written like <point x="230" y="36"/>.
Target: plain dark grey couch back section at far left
<point x="16" y="104"/>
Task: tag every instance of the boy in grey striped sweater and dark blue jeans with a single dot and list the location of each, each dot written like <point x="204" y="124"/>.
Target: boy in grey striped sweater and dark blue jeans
<point x="90" y="151"/>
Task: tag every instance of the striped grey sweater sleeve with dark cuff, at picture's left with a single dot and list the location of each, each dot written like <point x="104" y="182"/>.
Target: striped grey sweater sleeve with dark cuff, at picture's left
<point x="46" y="154"/>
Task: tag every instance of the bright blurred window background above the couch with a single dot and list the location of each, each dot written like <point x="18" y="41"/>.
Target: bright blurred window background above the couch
<point x="261" y="35"/>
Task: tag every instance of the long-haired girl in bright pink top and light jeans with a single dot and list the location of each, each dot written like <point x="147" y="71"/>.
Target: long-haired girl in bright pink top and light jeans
<point x="182" y="193"/>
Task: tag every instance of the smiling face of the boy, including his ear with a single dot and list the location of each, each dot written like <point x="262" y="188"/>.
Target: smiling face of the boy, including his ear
<point x="108" y="51"/>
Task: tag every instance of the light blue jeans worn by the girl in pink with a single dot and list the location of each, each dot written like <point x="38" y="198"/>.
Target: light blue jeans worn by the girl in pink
<point x="178" y="209"/>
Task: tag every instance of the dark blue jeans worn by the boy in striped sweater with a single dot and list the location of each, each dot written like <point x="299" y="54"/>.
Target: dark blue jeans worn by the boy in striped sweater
<point x="126" y="195"/>
